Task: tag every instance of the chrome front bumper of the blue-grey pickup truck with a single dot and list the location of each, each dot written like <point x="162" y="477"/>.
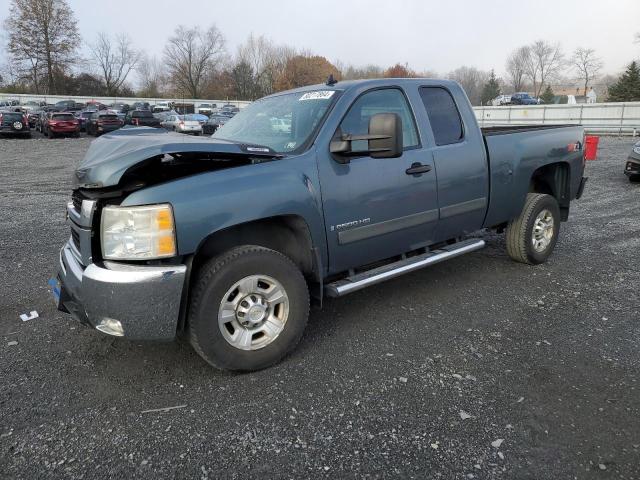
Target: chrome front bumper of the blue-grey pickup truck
<point x="135" y="301"/>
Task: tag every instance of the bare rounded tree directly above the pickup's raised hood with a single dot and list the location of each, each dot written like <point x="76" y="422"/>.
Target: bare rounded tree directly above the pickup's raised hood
<point x="191" y="55"/>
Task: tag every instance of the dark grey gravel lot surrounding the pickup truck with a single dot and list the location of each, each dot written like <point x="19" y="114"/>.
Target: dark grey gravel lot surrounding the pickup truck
<point x="474" y="368"/>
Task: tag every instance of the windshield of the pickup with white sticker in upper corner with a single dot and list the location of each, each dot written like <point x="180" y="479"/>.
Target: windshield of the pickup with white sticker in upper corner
<point x="283" y="123"/>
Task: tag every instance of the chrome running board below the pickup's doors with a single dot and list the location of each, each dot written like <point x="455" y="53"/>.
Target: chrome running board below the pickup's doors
<point x="392" y="270"/>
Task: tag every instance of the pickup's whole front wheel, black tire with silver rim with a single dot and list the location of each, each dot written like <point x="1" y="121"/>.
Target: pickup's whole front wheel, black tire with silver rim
<point x="217" y="280"/>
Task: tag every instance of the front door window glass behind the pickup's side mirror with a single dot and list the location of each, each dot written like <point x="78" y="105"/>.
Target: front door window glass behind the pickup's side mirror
<point x="388" y="100"/>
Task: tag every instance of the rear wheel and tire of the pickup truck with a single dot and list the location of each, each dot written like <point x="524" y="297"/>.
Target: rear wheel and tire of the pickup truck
<point x="523" y="244"/>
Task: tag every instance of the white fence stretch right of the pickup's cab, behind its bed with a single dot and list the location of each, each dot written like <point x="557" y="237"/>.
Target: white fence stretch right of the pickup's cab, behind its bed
<point x="609" y="118"/>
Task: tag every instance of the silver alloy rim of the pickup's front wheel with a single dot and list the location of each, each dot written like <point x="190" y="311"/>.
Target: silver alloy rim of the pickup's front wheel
<point x="253" y="312"/>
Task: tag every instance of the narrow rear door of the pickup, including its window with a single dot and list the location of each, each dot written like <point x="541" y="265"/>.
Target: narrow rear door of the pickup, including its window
<point x="460" y="162"/>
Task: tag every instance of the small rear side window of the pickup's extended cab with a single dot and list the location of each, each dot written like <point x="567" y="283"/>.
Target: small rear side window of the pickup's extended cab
<point x="443" y="115"/>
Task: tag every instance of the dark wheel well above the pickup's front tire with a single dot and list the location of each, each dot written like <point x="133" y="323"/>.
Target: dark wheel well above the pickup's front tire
<point x="287" y="234"/>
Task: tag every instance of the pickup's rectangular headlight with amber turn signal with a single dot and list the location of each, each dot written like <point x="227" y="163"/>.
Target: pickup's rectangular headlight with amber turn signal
<point x="138" y="233"/>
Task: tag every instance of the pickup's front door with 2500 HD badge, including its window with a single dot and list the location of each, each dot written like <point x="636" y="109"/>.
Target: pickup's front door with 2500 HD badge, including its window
<point x="375" y="208"/>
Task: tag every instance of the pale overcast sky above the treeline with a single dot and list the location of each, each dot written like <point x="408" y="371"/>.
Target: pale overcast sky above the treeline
<point x="433" y="35"/>
